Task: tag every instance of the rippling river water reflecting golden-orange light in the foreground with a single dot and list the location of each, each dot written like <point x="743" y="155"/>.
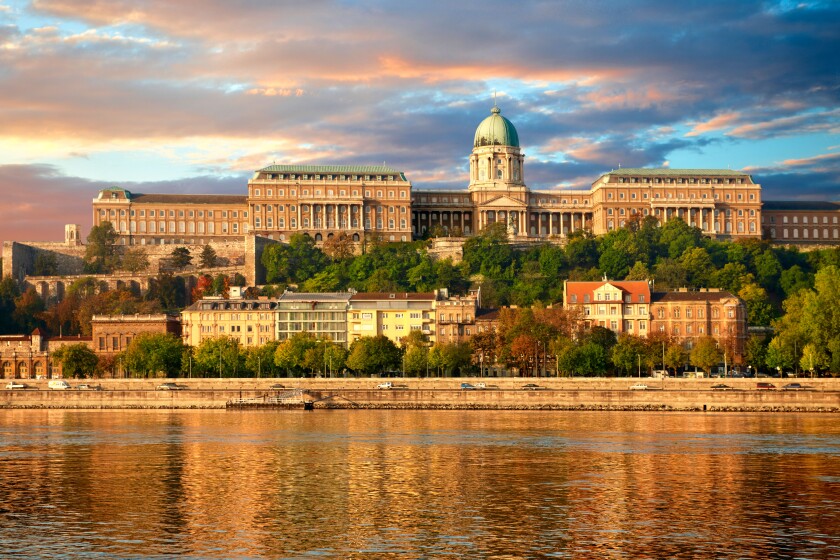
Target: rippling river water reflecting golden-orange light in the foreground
<point x="419" y="484"/>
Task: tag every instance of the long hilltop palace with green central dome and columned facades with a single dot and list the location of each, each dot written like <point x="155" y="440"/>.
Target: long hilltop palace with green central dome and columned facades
<point x="325" y="200"/>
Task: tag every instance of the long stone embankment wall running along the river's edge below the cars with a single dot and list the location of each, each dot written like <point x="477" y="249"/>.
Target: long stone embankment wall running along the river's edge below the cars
<point x="444" y="393"/>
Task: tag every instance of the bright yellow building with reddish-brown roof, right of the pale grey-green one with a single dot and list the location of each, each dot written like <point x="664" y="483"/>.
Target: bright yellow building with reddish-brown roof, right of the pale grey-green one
<point x="393" y="315"/>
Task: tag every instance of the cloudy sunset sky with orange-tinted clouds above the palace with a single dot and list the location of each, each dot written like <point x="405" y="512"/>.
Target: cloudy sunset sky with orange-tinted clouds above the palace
<point x="192" y="97"/>
